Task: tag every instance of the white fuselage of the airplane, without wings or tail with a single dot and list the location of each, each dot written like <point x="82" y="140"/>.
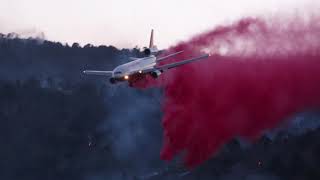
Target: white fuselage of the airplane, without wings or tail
<point x="134" y="66"/>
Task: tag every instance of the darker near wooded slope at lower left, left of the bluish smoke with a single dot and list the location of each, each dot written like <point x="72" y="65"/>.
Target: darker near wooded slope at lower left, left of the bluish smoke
<point x="45" y="133"/>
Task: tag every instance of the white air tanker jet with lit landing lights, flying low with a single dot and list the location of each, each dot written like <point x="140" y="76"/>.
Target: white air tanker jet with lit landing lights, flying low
<point x="138" y="68"/>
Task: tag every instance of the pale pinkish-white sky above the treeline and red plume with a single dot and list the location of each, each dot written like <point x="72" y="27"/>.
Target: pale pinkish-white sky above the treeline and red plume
<point x="126" y="23"/>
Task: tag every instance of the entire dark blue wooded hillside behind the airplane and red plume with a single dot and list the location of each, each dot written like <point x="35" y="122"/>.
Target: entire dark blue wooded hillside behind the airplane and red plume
<point x="57" y="124"/>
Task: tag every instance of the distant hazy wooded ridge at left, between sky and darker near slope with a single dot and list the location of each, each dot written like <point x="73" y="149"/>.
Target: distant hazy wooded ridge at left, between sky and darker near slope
<point x="23" y="58"/>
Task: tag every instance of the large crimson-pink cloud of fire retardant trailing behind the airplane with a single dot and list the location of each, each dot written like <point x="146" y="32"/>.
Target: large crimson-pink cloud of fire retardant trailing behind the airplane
<point x="260" y="74"/>
